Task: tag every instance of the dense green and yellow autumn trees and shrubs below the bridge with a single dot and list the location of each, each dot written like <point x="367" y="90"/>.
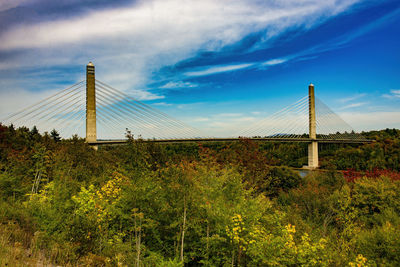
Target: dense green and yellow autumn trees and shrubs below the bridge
<point x="226" y="204"/>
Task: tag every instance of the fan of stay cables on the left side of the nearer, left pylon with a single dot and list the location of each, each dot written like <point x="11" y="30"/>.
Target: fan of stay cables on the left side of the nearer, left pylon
<point x="62" y="111"/>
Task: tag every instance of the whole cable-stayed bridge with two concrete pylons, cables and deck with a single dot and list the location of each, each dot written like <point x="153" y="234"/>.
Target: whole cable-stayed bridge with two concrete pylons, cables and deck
<point x="107" y="113"/>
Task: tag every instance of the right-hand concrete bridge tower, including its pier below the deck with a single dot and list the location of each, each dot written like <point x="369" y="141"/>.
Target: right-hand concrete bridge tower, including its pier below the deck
<point x="313" y="146"/>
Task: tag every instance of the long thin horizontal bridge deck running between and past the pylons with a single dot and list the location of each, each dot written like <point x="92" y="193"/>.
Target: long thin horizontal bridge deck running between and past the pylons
<point x="197" y="140"/>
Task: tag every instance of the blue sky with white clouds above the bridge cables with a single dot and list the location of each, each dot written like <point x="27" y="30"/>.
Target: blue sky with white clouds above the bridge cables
<point x="212" y="64"/>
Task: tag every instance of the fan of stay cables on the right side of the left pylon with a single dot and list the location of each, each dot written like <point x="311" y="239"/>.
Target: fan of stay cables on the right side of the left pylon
<point x="118" y="111"/>
